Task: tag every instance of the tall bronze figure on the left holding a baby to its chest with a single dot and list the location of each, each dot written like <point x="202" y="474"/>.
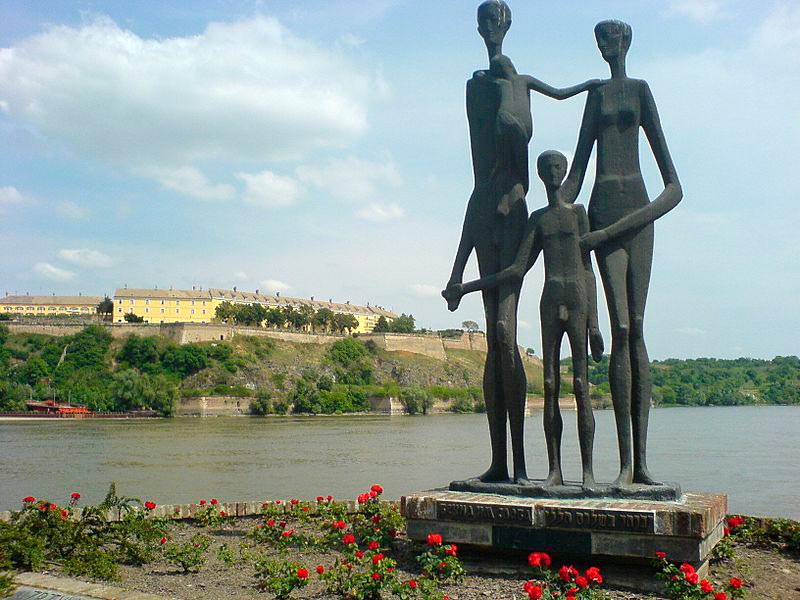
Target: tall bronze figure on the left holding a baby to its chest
<point x="500" y="127"/>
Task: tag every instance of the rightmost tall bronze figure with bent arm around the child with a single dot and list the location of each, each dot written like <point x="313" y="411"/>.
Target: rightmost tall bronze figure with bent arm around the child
<point x="621" y="218"/>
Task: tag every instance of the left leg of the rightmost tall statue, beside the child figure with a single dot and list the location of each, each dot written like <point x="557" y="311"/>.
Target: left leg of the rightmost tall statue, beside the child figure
<point x="613" y="262"/>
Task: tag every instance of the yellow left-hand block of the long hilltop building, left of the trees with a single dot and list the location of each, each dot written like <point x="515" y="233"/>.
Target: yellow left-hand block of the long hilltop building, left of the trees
<point x="163" y="306"/>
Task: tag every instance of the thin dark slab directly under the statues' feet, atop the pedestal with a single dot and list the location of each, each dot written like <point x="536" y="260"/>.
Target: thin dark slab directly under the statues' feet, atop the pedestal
<point x="663" y="492"/>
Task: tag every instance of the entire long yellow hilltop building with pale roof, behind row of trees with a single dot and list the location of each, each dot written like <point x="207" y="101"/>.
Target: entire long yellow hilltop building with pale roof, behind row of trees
<point x="199" y="306"/>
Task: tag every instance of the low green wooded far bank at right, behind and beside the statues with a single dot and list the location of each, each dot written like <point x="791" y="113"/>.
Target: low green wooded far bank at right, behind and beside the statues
<point x="715" y="382"/>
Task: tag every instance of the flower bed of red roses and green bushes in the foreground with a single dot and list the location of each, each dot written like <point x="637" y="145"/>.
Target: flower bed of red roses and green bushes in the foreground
<point x="309" y="549"/>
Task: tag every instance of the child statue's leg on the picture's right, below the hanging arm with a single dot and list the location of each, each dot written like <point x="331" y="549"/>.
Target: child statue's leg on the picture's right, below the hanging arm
<point x="576" y="331"/>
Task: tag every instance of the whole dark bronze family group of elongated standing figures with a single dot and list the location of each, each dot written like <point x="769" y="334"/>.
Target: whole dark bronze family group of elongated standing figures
<point x="617" y="227"/>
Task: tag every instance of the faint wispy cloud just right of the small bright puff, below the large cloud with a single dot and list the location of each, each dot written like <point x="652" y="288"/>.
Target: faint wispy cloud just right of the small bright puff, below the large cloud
<point x="352" y="179"/>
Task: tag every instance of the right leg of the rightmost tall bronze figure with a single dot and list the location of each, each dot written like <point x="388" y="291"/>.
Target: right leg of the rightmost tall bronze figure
<point x="641" y="260"/>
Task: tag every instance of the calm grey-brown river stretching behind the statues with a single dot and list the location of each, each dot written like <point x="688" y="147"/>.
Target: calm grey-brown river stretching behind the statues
<point x="750" y="453"/>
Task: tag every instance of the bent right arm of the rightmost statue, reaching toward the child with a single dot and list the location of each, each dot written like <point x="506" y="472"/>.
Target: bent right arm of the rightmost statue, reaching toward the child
<point x="666" y="200"/>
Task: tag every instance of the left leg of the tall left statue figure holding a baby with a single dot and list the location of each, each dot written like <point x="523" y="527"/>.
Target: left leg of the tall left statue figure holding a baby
<point x="493" y="394"/>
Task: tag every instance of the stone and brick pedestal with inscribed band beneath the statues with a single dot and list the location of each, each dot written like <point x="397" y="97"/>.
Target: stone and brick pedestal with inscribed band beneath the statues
<point x="623" y="534"/>
